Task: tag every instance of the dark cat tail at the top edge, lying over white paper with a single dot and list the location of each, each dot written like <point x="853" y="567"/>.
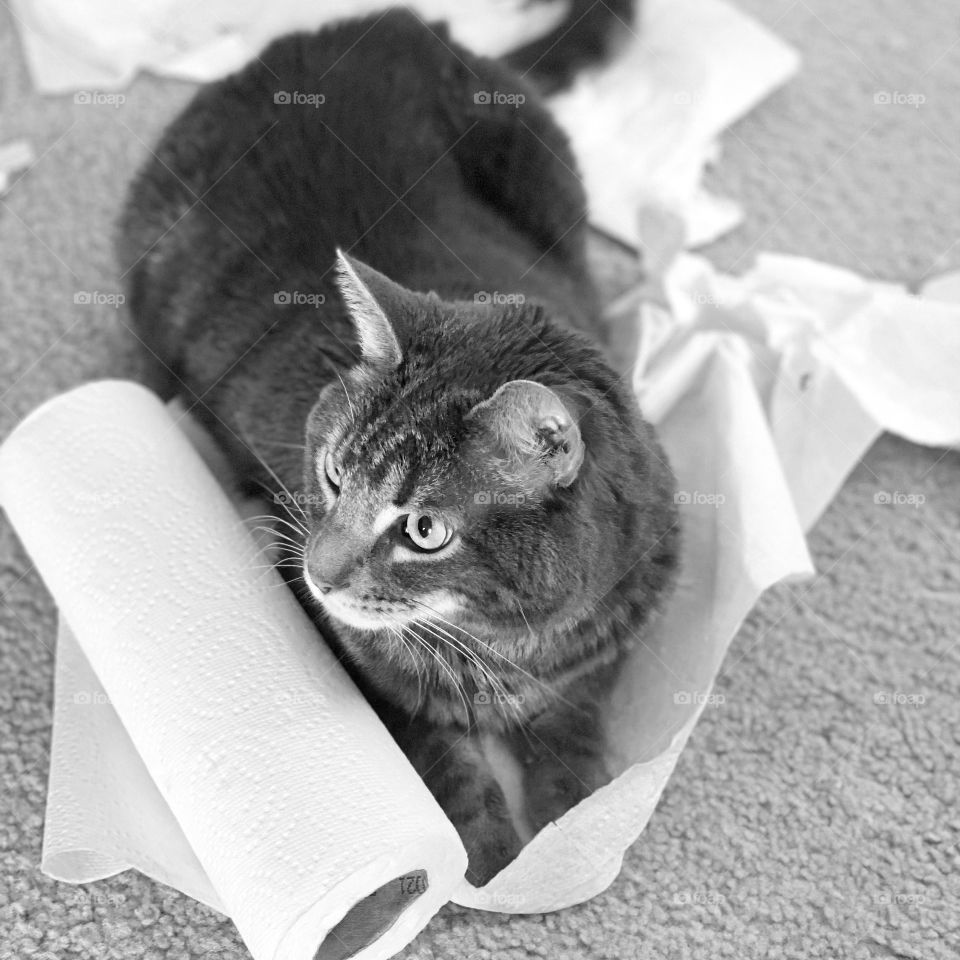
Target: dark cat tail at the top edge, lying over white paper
<point x="584" y="37"/>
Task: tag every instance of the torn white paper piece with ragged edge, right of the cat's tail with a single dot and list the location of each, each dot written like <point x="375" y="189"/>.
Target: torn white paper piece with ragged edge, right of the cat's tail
<point x="646" y="125"/>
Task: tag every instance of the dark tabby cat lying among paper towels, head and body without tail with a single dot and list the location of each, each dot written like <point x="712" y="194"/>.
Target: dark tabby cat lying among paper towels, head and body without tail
<point x="361" y="261"/>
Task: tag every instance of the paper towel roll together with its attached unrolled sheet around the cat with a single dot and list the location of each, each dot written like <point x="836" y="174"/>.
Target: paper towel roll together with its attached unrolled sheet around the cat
<point x="203" y="733"/>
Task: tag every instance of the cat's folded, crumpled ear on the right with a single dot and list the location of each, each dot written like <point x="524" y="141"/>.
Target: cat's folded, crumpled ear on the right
<point x="534" y="431"/>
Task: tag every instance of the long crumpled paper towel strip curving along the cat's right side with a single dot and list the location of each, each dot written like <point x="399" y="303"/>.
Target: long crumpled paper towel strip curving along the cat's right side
<point x="765" y="390"/>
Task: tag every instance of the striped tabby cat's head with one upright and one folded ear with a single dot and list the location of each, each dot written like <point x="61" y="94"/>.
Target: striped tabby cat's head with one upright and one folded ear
<point x="477" y="467"/>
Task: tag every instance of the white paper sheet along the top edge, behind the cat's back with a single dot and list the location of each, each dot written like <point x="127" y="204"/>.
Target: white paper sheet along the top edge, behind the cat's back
<point x="102" y="44"/>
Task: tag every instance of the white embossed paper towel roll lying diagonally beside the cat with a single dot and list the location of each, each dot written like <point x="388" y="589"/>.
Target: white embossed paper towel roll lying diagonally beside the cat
<point x="294" y="798"/>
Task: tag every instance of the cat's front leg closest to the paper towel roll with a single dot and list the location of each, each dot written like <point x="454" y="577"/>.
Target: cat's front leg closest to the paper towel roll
<point x="454" y="768"/>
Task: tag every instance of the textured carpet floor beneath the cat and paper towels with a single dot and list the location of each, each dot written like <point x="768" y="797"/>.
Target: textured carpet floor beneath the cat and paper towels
<point x="804" y="820"/>
